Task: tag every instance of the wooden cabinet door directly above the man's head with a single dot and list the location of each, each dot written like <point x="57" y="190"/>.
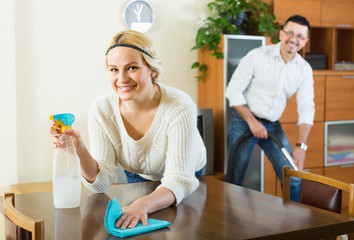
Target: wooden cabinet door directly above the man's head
<point x="311" y="9"/>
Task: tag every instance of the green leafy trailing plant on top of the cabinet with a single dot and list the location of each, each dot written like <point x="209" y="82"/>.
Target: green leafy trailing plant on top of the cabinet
<point x="222" y="20"/>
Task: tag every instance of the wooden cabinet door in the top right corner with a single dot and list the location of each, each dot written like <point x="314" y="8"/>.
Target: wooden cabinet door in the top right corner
<point x="337" y="13"/>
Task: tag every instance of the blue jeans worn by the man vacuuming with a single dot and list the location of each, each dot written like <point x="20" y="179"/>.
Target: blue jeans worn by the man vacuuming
<point x="238" y="126"/>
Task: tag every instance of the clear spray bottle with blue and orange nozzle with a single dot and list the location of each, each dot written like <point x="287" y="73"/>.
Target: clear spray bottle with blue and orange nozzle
<point x="66" y="166"/>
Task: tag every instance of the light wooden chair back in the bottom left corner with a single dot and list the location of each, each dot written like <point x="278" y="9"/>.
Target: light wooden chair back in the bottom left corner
<point x="18" y="225"/>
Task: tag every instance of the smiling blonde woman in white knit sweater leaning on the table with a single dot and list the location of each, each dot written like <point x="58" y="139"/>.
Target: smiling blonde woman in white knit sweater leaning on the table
<point x="146" y="127"/>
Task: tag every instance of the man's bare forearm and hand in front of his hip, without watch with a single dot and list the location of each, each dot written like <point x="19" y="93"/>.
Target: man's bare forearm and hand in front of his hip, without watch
<point x="256" y="127"/>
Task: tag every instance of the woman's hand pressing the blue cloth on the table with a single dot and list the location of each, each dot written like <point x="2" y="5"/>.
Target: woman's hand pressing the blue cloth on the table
<point x="132" y="214"/>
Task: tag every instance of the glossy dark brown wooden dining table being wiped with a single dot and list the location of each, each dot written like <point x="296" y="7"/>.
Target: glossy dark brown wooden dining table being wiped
<point x="216" y="210"/>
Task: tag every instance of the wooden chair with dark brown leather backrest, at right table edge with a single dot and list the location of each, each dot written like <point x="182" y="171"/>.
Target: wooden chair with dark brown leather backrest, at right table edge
<point x="323" y="192"/>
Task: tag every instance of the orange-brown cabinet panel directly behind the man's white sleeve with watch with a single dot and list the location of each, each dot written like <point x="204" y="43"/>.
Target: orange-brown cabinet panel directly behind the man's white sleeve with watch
<point x="290" y="112"/>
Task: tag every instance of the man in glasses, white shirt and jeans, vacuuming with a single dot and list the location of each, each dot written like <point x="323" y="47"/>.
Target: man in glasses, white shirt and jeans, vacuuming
<point x="258" y="91"/>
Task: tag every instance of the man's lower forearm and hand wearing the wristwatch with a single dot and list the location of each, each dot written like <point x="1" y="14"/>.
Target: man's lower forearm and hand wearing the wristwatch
<point x="299" y="154"/>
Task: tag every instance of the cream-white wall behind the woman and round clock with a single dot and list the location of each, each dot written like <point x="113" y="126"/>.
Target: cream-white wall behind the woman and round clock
<point x="54" y="62"/>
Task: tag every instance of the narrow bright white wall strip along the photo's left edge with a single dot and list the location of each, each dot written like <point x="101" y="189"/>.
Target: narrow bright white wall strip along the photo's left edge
<point x="8" y="131"/>
